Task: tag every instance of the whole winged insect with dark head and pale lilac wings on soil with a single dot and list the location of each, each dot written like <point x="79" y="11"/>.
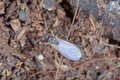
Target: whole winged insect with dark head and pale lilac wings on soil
<point x="67" y="49"/>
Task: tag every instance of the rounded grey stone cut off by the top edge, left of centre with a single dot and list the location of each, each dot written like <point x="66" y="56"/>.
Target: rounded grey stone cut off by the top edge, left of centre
<point x="48" y="4"/>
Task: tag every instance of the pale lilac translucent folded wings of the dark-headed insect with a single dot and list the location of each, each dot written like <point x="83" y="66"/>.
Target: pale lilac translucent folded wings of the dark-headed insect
<point x="69" y="50"/>
